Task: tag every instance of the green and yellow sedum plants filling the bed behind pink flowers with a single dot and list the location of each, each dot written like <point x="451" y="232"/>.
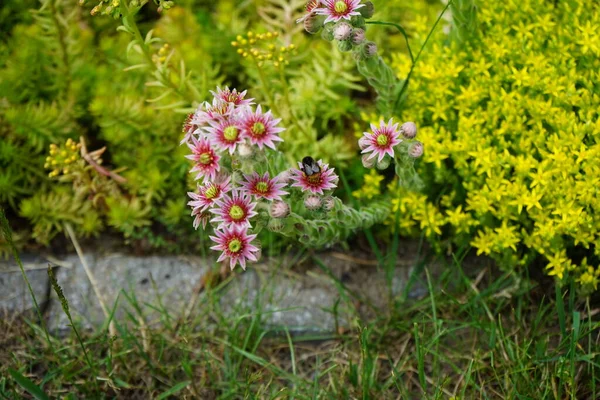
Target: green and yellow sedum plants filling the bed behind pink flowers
<point x="505" y="93"/>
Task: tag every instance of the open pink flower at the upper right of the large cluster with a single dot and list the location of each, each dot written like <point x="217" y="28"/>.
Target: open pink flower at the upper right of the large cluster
<point x="261" y="128"/>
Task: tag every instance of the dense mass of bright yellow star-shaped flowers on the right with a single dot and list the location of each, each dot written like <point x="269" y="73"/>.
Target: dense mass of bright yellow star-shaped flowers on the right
<point x="510" y="118"/>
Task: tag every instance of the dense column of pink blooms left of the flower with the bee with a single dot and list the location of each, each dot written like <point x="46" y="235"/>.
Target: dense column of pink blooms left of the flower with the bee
<point x="220" y="134"/>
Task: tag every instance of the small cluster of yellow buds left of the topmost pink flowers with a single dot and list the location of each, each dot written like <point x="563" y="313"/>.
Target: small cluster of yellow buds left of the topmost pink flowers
<point x="262" y="47"/>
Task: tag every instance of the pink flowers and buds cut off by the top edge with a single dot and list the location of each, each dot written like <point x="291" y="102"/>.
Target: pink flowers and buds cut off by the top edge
<point x="343" y="21"/>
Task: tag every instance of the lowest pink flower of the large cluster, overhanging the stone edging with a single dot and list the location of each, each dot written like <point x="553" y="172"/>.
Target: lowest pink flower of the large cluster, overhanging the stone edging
<point x="236" y="244"/>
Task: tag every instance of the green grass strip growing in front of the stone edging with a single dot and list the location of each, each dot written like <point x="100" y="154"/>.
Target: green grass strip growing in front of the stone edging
<point x="487" y="336"/>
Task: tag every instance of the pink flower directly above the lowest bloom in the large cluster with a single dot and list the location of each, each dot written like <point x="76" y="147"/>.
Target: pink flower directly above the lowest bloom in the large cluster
<point x="236" y="209"/>
